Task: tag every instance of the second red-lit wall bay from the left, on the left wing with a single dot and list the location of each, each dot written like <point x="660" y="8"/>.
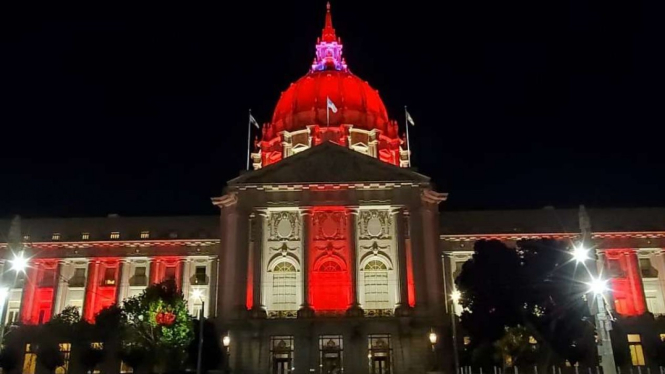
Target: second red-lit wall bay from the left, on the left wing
<point x="101" y="293"/>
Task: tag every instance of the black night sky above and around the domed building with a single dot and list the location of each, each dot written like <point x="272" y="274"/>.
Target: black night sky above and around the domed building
<point x="518" y="104"/>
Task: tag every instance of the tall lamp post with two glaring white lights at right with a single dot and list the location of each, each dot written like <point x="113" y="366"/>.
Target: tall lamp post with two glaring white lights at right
<point x="603" y="319"/>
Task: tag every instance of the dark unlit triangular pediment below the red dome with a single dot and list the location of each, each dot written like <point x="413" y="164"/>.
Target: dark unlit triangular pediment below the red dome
<point x="329" y="163"/>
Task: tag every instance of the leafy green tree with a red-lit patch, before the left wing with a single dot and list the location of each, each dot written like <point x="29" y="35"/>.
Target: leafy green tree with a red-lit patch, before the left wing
<point x="156" y="328"/>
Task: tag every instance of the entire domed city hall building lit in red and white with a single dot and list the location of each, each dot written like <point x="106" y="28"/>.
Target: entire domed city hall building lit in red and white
<point x="331" y="254"/>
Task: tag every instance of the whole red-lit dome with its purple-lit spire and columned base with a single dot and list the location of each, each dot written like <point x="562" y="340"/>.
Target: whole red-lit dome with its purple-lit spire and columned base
<point x="329" y="104"/>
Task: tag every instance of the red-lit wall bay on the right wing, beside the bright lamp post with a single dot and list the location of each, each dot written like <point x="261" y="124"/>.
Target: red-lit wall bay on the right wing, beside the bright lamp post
<point x="626" y="283"/>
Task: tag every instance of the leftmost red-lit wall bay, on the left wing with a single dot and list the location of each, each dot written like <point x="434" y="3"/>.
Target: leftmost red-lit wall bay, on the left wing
<point x="41" y="280"/>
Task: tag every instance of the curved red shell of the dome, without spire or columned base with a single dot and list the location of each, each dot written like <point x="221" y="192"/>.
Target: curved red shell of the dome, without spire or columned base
<point x="304" y="103"/>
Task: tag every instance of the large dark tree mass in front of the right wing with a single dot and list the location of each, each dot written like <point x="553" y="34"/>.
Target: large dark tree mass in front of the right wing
<point x="533" y="286"/>
